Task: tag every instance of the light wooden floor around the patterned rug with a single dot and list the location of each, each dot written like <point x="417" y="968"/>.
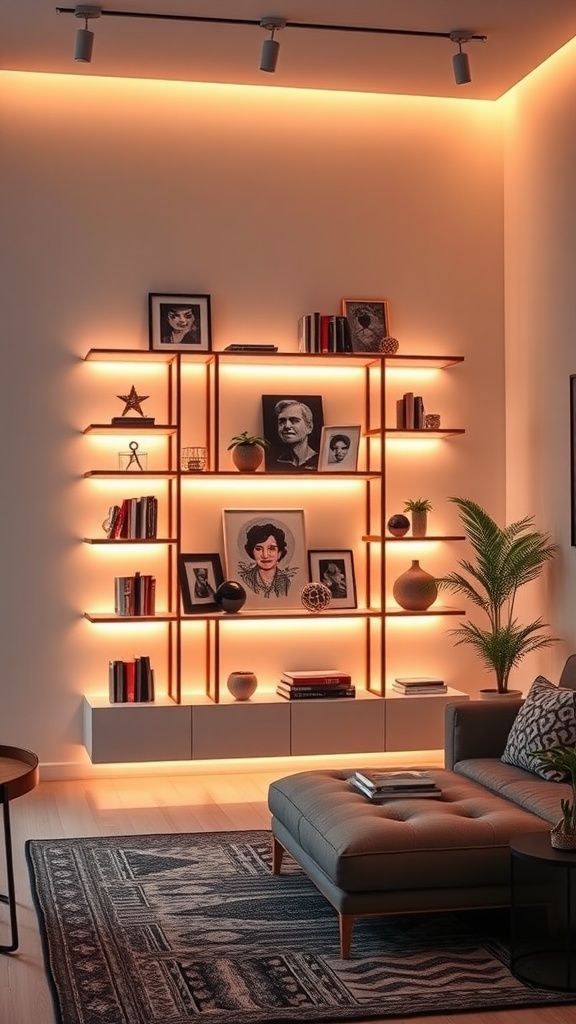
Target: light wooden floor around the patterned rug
<point x="132" y="806"/>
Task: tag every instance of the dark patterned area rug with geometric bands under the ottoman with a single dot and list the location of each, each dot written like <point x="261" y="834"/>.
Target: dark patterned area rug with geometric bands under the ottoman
<point x="173" y="929"/>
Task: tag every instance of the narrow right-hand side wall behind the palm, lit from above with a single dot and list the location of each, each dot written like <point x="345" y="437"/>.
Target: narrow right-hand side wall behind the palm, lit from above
<point x="541" y="258"/>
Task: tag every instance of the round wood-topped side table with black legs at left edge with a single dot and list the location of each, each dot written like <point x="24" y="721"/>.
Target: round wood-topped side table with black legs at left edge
<point x="19" y="775"/>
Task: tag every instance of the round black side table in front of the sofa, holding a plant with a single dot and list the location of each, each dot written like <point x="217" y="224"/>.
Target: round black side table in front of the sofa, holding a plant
<point x="543" y="913"/>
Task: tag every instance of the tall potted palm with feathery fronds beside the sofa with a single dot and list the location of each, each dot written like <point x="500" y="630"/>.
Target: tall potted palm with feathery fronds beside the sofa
<point x="507" y="559"/>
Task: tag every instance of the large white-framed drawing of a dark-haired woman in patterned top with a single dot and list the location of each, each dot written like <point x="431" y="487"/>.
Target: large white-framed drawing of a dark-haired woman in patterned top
<point x="266" y="551"/>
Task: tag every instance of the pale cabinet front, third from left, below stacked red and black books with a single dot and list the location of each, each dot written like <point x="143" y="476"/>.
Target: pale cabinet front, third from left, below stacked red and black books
<point x="338" y="727"/>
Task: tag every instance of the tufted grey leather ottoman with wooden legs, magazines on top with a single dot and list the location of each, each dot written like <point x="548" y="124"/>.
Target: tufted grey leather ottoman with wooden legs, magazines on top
<point x="402" y="857"/>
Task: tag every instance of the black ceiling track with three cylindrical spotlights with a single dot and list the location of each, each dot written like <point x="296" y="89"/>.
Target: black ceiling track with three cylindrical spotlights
<point x="271" y="48"/>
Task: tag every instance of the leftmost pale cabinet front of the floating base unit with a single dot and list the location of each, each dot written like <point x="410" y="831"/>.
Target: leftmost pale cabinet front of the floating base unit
<point x="137" y="733"/>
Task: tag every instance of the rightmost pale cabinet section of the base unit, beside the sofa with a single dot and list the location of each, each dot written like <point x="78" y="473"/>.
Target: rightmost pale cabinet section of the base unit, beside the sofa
<point x="416" y="722"/>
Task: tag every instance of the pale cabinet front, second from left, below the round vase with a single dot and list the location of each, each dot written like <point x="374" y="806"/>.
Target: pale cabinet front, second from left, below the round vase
<point x="240" y="731"/>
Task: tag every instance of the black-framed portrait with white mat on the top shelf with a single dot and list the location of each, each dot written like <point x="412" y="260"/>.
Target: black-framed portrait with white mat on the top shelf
<point x="180" y="323"/>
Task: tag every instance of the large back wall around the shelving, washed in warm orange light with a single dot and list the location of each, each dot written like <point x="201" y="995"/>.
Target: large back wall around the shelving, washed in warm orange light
<point x="276" y="203"/>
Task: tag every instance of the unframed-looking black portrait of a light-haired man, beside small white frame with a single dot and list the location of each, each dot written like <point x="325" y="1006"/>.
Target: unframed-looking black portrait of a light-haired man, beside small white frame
<point x="293" y="424"/>
